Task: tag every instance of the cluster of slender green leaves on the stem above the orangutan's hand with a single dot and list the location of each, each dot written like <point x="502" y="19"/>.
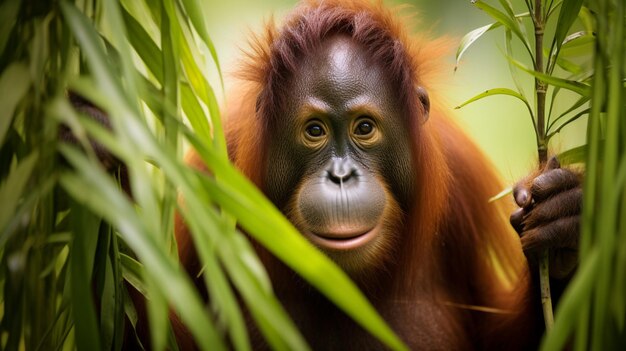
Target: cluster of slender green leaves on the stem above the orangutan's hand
<point x="568" y="35"/>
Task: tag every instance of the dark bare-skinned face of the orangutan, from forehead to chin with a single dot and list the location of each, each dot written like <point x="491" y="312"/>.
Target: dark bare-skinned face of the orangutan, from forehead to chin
<point x="339" y="162"/>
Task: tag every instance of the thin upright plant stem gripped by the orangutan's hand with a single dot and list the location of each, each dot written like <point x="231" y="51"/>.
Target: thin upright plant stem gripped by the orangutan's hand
<point x="542" y="150"/>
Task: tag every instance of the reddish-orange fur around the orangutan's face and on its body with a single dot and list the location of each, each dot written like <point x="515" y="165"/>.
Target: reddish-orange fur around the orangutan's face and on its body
<point x="458" y="253"/>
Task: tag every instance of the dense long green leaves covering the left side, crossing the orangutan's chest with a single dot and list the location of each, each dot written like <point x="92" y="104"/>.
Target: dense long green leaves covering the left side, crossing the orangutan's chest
<point x="72" y="242"/>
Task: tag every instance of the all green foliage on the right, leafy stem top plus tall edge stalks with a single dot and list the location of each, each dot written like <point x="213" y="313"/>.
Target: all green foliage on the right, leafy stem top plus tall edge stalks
<point x="585" y="55"/>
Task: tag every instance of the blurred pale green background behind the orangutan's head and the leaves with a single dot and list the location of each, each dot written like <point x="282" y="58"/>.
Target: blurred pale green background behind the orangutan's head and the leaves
<point x="500" y="124"/>
